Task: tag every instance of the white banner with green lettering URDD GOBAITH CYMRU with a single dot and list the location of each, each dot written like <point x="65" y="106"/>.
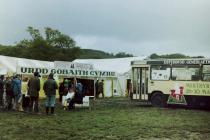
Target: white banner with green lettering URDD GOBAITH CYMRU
<point x="66" y="72"/>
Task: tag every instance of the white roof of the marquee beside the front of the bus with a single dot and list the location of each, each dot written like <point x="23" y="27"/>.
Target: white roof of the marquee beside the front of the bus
<point x="119" y="65"/>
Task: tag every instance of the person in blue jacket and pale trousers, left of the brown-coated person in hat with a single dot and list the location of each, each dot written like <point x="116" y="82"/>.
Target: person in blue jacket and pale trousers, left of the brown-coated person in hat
<point x="16" y="86"/>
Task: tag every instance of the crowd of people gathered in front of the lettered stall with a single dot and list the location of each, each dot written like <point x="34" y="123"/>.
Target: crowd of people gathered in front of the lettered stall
<point x="11" y="97"/>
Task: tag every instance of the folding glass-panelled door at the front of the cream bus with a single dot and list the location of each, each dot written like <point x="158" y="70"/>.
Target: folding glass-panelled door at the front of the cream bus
<point x="140" y="86"/>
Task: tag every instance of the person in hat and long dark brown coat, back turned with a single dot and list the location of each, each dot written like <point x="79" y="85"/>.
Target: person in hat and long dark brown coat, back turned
<point x="33" y="92"/>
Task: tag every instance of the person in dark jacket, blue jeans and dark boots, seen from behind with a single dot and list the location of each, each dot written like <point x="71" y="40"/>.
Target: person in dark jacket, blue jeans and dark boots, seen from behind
<point x="50" y="87"/>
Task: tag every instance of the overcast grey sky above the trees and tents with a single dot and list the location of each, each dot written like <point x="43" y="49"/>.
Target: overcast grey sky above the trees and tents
<point x="140" y="27"/>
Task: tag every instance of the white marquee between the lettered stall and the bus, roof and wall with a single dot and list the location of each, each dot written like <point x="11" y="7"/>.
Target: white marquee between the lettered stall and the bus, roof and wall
<point x="120" y="65"/>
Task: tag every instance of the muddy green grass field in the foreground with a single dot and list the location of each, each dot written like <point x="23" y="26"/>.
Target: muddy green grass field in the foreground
<point x="110" y="119"/>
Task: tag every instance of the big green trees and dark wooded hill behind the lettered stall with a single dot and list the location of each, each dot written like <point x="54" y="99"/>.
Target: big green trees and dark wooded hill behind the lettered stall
<point x="51" y="46"/>
